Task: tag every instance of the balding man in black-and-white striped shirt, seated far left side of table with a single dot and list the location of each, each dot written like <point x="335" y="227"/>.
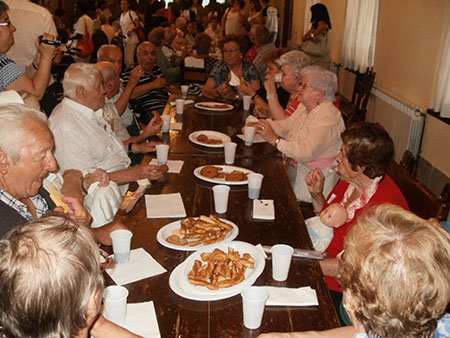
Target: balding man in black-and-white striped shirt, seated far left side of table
<point x="150" y="93"/>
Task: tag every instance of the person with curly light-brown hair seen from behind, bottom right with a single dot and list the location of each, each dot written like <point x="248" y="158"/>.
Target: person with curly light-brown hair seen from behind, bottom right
<point x="395" y="272"/>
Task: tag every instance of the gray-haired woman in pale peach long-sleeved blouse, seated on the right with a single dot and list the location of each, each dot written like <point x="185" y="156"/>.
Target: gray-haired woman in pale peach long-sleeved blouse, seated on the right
<point x="311" y="135"/>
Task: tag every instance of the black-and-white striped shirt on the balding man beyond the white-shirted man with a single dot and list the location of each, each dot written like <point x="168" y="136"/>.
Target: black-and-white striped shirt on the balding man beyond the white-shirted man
<point x="154" y="99"/>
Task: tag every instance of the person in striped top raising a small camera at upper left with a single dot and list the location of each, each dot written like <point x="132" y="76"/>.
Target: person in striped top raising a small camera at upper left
<point x="13" y="77"/>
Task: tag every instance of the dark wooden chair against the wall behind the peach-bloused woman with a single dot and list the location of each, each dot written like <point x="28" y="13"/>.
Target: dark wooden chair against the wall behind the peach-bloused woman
<point x="355" y="110"/>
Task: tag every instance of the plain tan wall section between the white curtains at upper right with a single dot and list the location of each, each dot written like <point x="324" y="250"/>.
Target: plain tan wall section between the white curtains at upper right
<point x="408" y="41"/>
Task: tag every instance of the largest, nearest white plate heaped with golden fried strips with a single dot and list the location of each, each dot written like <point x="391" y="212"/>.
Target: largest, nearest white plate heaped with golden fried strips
<point x="217" y="271"/>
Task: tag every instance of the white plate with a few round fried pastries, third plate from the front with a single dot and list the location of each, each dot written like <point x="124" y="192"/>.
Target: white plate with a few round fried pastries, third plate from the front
<point x="222" y="174"/>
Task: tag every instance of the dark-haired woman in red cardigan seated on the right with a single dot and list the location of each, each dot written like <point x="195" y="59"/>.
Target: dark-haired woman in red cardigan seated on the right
<point x="365" y="154"/>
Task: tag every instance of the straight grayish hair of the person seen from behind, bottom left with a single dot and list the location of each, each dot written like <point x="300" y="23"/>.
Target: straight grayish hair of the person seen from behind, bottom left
<point x="49" y="270"/>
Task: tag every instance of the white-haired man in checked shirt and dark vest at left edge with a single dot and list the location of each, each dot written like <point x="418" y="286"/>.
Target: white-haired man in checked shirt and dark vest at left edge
<point x="26" y="159"/>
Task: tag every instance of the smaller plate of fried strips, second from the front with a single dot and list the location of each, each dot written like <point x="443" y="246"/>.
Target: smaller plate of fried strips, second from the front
<point x="192" y="233"/>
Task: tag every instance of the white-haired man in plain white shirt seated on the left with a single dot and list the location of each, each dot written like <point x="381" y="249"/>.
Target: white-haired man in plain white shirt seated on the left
<point x="84" y="140"/>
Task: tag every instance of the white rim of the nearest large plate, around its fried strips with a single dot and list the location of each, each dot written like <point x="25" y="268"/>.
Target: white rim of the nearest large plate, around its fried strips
<point x="179" y="282"/>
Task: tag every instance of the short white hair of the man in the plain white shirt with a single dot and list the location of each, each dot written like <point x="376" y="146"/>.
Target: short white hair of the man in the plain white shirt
<point x="79" y="74"/>
